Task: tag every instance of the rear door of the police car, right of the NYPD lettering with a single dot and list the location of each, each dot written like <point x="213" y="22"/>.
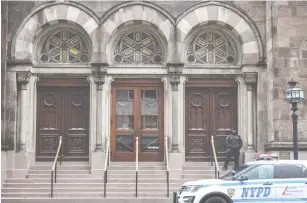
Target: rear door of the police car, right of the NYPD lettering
<point x="292" y="185"/>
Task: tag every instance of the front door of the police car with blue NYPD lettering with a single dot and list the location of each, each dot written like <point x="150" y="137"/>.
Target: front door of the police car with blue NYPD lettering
<point x="256" y="185"/>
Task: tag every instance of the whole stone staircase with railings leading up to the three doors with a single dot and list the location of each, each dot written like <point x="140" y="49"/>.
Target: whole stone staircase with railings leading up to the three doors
<point x="75" y="181"/>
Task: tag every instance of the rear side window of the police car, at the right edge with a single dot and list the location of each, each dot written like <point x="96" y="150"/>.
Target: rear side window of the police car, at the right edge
<point x="292" y="171"/>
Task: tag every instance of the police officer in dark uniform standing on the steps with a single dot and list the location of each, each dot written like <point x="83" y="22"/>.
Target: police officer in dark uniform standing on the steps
<point x="233" y="146"/>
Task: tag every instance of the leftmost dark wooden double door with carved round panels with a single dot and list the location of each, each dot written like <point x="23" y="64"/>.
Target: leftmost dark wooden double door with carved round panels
<point x="62" y="111"/>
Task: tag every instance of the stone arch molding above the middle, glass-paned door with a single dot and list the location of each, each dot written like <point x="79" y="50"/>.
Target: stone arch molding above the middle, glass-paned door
<point x="140" y="12"/>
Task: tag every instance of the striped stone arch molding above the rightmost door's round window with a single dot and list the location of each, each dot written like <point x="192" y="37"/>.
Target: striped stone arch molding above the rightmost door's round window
<point x="228" y="16"/>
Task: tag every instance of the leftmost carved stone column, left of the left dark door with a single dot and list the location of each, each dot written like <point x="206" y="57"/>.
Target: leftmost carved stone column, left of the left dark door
<point x="23" y="79"/>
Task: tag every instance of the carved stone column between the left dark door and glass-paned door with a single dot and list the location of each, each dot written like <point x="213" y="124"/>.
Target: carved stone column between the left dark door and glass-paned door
<point x="99" y="72"/>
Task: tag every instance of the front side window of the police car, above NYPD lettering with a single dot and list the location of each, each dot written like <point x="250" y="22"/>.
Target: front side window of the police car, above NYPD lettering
<point x="265" y="171"/>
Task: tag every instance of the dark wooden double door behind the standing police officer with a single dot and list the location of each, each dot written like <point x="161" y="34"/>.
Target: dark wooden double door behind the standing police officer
<point x="209" y="112"/>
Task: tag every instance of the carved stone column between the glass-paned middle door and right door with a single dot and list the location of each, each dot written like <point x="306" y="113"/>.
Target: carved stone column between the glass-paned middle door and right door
<point x="175" y="70"/>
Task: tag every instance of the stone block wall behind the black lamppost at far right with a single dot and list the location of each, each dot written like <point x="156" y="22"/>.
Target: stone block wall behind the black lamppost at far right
<point x="290" y="62"/>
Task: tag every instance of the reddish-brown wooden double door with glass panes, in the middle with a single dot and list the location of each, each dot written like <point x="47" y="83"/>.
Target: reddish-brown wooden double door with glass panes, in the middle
<point x="137" y="112"/>
